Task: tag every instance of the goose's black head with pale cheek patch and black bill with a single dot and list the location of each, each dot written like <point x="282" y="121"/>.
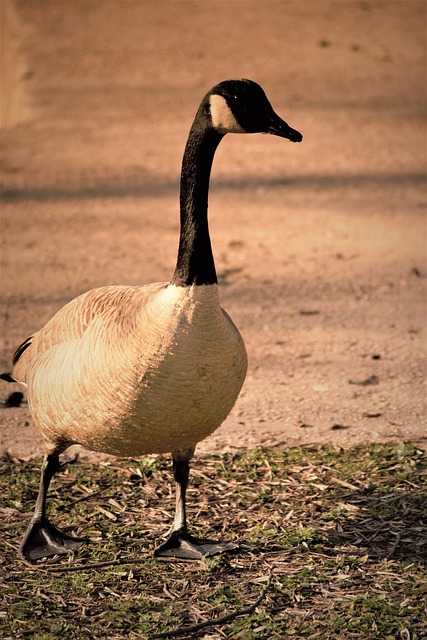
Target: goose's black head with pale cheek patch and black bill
<point x="241" y="106"/>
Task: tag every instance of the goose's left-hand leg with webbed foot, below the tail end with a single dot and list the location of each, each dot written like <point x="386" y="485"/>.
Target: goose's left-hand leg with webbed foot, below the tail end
<point x="42" y="539"/>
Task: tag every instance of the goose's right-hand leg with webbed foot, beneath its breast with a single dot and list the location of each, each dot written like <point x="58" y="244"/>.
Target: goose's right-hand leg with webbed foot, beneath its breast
<point x="179" y="543"/>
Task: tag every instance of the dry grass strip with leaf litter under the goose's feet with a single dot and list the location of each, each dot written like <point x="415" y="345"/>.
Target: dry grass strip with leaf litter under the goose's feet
<point x="333" y="545"/>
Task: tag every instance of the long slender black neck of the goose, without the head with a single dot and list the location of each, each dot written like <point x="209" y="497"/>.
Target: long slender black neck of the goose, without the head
<point x="195" y="263"/>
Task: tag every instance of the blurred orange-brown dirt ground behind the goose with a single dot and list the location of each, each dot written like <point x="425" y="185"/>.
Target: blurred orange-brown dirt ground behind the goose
<point x="320" y="247"/>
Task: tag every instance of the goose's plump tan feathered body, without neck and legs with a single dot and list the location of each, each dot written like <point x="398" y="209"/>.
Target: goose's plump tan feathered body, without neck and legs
<point x="134" y="370"/>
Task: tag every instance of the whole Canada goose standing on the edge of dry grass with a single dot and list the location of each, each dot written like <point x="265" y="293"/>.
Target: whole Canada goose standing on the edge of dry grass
<point x="153" y="369"/>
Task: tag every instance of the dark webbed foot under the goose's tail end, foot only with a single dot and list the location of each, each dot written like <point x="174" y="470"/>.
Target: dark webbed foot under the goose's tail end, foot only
<point x="42" y="540"/>
